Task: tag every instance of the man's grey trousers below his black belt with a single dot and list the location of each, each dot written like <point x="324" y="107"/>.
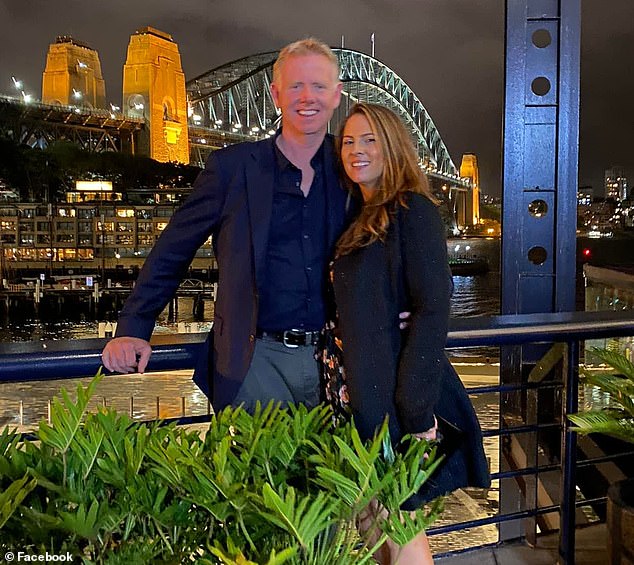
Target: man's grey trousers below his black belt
<point x="281" y="374"/>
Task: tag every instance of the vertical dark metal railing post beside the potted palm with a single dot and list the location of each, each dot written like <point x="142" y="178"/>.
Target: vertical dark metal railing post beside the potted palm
<point x="569" y="459"/>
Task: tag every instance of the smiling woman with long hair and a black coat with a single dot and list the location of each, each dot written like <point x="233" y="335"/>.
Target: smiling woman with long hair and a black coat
<point x="393" y="258"/>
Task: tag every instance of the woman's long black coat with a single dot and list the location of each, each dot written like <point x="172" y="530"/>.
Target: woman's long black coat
<point x="406" y="375"/>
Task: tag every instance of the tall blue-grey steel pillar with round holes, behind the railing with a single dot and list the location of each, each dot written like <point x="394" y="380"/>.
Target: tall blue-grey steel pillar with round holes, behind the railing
<point x="541" y="123"/>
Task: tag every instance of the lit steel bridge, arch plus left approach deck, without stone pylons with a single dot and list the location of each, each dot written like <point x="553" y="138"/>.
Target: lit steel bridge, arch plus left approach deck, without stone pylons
<point x="232" y="103"/>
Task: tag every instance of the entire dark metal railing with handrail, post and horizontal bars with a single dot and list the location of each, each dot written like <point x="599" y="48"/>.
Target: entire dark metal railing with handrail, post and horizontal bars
<point x="65" y="359"/>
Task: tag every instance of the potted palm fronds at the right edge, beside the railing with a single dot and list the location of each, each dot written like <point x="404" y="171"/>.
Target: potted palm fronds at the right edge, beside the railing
<point x="617" y="420"/>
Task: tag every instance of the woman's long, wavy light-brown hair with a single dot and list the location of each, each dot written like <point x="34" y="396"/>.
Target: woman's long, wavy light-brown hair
<point x="401" y="174"/>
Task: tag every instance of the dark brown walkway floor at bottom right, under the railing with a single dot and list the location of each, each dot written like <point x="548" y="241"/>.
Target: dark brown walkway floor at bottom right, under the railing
<point x="590" y="550"/>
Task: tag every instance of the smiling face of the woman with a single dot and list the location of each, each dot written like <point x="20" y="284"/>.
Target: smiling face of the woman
<point x="361" y="154"/>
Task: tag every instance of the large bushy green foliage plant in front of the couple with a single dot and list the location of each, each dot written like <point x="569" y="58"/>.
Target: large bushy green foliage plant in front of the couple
<point x="276" y="487"/>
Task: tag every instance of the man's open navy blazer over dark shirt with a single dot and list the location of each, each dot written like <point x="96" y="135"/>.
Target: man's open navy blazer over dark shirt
<point x="232" y="201"/>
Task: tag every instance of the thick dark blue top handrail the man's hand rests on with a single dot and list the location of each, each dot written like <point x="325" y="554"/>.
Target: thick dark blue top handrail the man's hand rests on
<point x="78" y="358"/>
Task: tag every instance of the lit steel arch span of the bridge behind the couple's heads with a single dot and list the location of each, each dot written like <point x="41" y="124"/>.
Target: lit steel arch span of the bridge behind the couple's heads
<point x="233" y="103"/>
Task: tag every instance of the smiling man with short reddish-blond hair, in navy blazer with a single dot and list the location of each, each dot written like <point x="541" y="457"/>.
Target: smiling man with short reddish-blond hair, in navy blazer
<point x="275" y="209"/>
